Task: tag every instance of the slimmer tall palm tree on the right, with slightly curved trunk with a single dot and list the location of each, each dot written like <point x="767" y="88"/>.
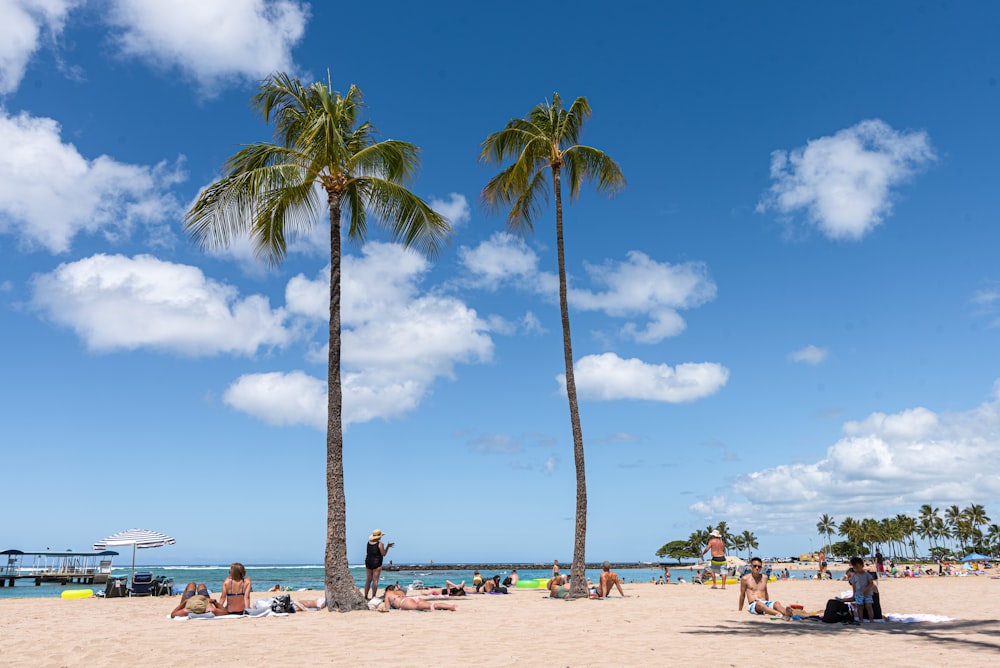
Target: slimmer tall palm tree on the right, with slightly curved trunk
<point x="543" y="143"/>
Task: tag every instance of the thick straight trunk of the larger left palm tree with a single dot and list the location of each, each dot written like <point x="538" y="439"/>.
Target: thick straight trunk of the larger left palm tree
<point x="341" y="591"/>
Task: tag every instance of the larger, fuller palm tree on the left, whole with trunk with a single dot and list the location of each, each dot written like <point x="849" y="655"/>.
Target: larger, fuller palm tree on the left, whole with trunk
<point x="271" y="191"/>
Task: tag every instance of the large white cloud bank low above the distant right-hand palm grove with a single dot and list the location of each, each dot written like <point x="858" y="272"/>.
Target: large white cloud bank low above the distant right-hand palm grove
<point x="883" y="465"/>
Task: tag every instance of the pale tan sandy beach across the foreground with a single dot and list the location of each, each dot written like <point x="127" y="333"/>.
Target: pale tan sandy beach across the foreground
<point x="654" y="625"/>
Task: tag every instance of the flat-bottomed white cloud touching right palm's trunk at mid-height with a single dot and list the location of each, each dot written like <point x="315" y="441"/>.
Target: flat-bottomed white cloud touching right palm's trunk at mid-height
<point x="607" y="376"/>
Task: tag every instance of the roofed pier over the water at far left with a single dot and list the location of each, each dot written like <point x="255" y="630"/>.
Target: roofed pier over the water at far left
<point x="91" y="568"/>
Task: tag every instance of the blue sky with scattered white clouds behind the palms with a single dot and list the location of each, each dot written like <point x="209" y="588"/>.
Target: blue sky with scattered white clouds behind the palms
<point x="791" y="310"/>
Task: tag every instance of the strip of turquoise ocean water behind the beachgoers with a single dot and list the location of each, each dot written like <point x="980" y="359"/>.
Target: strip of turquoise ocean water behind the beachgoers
<point x="311" y="577"/>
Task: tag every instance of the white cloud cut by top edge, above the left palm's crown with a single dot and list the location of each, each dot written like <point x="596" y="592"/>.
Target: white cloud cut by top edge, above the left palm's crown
<point x="212" y="41"/>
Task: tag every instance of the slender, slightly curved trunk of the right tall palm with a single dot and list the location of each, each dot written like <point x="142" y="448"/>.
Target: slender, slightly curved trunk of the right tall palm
<point x="578" y="585"/>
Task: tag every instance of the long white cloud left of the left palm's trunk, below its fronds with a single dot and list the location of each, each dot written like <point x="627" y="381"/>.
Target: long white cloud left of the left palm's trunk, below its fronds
<point x="114" y="302"/>
